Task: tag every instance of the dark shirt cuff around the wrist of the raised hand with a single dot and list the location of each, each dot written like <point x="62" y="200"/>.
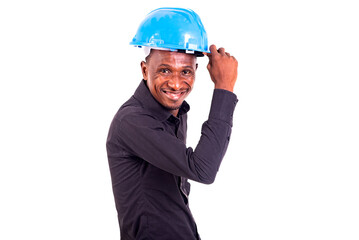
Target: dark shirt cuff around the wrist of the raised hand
<point x="223" y="105"/>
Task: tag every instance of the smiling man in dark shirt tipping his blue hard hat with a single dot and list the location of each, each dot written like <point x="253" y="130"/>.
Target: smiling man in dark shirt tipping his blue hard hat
<point x="148" y="158"/>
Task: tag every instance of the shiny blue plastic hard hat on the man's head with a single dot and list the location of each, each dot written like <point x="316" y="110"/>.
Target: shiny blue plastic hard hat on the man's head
<point x="173" y="29"/>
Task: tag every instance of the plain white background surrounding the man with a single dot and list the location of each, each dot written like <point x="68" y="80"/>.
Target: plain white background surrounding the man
<point x="291" y="170"/>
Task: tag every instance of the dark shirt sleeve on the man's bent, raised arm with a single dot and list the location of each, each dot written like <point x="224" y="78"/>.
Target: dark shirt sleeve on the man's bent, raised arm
<point x="145" y="137"/>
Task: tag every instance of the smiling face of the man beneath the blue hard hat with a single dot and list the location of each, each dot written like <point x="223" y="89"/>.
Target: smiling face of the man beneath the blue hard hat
<point x="170" y="77"/>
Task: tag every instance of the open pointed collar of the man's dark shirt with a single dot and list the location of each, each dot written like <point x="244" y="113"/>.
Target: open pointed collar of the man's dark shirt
<point x="144" y="95"/>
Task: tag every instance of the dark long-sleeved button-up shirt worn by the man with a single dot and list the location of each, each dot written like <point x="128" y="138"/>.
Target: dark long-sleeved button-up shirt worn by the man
<point x="150" y="163"/>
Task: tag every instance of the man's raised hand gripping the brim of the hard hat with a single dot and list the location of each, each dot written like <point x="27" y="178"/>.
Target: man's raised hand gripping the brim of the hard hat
<point x="222" y="68"/>
